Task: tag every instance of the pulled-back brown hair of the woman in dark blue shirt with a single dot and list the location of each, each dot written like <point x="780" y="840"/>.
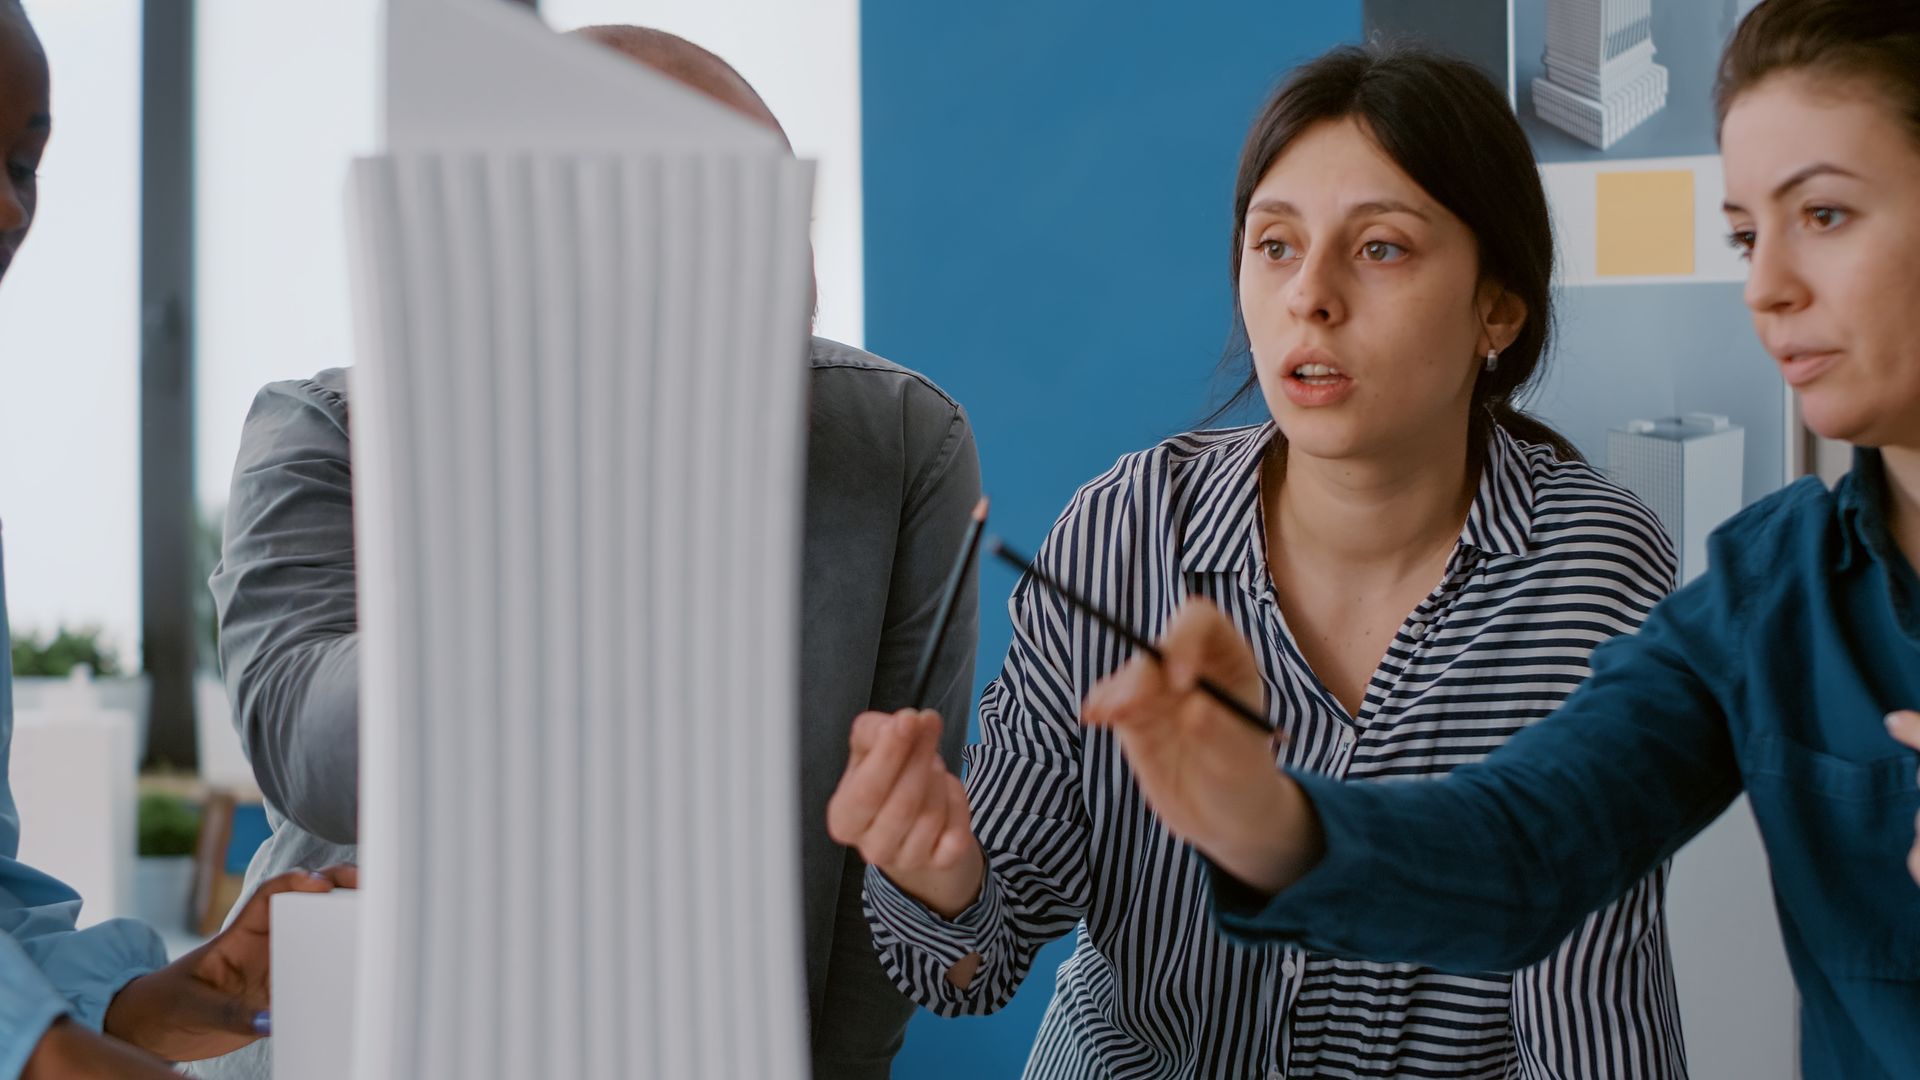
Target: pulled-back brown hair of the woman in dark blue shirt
<point x="1873" y="41"/>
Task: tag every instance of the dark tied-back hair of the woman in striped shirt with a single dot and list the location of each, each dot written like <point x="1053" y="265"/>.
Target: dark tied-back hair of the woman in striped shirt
<point x="1449" y="128"/>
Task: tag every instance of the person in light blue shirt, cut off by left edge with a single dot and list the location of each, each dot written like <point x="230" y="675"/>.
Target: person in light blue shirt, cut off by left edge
<point x="60" y="989"/>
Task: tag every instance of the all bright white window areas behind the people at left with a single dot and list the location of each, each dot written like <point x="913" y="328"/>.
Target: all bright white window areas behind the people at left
<point x="287" y="99"/>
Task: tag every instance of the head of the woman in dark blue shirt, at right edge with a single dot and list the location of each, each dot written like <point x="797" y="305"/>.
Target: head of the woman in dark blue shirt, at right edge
<point x="1821" y="134"/>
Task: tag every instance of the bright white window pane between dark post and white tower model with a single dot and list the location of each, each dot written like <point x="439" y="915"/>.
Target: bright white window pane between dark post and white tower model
<point x="287" y="99"/>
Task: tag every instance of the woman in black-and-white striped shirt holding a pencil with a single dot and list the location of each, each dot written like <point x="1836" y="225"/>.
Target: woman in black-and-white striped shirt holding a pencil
<point x="1424" y="570"/>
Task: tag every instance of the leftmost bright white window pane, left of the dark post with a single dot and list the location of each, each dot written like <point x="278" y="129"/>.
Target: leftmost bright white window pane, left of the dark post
<point x="70" y="349"/>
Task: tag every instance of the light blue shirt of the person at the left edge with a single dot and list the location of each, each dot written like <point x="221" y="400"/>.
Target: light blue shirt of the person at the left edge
<point x="47" y="968"/>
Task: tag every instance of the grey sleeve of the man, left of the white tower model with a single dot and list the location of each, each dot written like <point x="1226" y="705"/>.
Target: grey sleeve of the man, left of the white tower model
<point x="287" y="614"/>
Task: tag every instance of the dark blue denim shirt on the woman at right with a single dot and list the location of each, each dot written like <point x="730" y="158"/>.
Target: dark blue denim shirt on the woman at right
<point x="1769" y="674"/>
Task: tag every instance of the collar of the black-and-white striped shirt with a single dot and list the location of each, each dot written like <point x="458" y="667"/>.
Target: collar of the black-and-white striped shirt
<point x="1222" y="516"/>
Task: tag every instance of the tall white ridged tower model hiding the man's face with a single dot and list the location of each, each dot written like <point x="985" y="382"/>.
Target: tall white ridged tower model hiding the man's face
<point x="579" y="431"/>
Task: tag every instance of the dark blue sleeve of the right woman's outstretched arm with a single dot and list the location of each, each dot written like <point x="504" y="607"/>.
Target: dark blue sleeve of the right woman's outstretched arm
<point x="1495" y="866"/>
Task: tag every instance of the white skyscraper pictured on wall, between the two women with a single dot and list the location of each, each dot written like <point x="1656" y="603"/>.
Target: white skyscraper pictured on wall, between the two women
<point x="1689" y="470"/>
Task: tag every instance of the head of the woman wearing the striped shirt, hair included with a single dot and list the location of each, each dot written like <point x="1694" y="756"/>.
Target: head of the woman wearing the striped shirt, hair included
<point x="1391" y="233"/>
